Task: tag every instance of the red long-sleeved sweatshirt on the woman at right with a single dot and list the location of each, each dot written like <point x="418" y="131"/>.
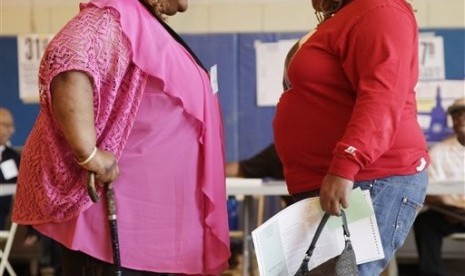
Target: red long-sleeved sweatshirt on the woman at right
<point x="351" y="110"/>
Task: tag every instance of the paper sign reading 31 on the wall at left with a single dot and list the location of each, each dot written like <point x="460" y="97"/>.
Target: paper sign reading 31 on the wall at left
<point x="30" y="50"/>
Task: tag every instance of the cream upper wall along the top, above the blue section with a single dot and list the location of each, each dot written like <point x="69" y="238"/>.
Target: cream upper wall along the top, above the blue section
<point x="213" y="16"/>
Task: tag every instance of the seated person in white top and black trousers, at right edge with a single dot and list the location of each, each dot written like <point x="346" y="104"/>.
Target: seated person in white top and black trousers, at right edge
<point x="446" y="214"/>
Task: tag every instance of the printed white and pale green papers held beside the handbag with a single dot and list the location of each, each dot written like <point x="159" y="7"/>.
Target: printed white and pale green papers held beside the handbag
<point x="281" y="242"/>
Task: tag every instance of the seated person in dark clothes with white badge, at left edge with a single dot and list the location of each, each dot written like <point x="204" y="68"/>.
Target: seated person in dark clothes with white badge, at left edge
<point x="9" y="161"/>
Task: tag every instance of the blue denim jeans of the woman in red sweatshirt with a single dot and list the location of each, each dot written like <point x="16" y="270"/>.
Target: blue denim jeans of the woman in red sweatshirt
<point x="396" y="201"/>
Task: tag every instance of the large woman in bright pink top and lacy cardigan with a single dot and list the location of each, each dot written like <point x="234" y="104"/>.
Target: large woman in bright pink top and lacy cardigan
<point x="123" y="96"/>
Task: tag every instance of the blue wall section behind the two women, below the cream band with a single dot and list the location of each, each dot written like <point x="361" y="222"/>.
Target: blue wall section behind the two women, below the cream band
<point x="248" y="128"/>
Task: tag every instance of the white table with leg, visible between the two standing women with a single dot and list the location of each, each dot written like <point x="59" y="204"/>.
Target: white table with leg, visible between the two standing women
<point x="250" y="187"/>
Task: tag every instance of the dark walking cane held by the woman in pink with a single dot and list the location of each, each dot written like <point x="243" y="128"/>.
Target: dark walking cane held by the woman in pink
<point x="111" y="212"/>
